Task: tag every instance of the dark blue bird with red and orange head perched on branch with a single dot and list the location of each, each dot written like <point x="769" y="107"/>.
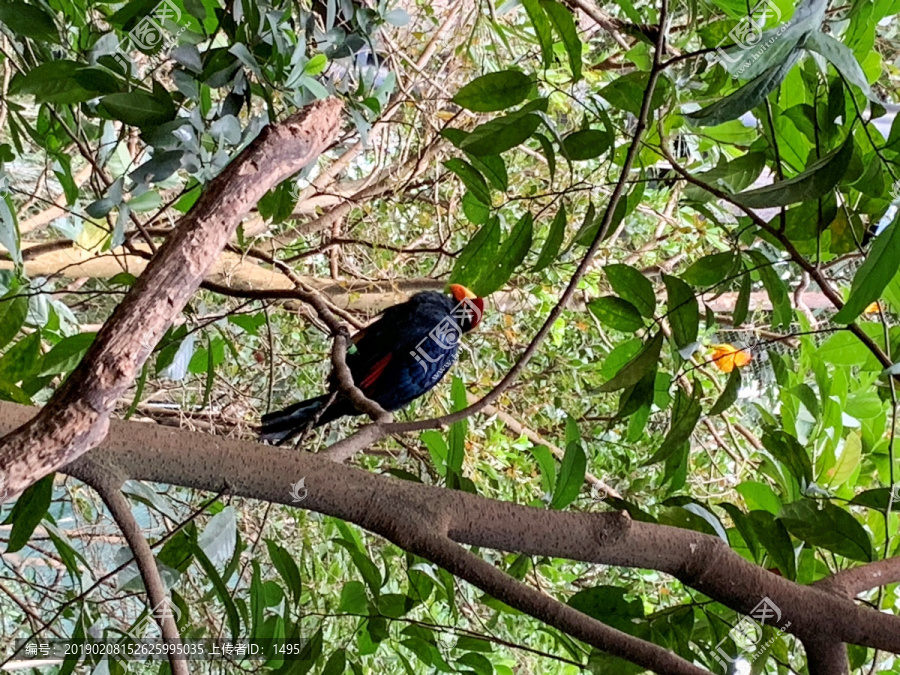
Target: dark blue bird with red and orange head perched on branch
<point x="395" y="360"/>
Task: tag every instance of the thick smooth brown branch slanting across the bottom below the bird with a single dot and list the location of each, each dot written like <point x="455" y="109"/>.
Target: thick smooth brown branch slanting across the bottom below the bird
<point x="387" y="506"/>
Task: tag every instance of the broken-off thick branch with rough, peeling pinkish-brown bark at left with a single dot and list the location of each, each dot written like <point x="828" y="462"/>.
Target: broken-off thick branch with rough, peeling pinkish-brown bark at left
<point x="76" y="418"/>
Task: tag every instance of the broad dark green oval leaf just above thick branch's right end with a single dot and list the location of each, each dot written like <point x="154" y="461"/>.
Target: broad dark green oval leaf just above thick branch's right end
<point x="828" y="526"/>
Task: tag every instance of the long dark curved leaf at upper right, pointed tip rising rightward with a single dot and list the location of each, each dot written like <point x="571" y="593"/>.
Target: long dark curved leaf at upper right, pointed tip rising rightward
<point x="818" y="179"/>
